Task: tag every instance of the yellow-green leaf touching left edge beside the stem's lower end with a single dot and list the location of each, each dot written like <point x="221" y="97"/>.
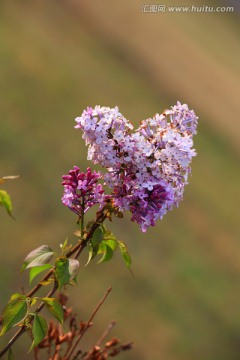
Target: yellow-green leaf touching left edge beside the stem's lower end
<point x="15" y="312"/>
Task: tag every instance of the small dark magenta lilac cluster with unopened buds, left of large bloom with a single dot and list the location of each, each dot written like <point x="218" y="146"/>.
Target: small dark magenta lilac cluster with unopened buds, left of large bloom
<point x="81" y="190"/>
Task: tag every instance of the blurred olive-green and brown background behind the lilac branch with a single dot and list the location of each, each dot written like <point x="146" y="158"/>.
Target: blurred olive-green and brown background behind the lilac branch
<point x="56" y="58"/>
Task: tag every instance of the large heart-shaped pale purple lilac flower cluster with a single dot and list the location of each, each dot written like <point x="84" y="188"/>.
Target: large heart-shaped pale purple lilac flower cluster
<point x="146" y="169"/>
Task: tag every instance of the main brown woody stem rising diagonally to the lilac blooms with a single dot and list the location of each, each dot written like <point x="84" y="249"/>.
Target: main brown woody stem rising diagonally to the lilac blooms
<point x="78" y="248"/>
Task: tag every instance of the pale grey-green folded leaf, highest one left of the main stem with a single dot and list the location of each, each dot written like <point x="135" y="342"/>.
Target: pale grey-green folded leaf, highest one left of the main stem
<point x="38" y="257"/>
